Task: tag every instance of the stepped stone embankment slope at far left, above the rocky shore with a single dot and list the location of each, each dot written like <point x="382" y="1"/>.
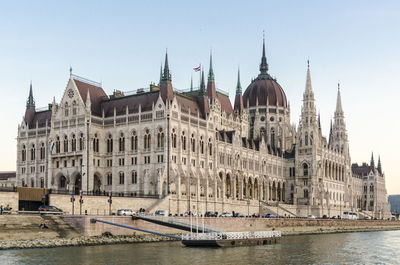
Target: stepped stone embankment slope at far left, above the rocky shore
<point x="15" y="227"/>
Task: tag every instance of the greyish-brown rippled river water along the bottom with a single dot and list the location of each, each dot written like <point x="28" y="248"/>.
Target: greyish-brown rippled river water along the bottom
<point x="344" y="248"/>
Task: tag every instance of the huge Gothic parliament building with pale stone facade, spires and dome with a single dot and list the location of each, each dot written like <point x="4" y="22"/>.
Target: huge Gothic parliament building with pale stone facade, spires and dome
<point x="193" y="145"/>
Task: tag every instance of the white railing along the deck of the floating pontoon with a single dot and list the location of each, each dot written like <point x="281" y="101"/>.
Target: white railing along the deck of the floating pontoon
<point x="232" y="235"/>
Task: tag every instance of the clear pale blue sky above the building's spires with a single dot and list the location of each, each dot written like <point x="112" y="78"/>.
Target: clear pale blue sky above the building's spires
<point x="122" y="44"/>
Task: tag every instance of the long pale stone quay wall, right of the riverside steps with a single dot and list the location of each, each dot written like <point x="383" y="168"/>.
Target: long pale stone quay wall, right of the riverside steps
<point x="286" y="225"/>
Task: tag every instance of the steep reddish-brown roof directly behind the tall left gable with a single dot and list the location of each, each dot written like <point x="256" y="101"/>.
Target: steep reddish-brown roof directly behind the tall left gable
<point x="97" y="94"/>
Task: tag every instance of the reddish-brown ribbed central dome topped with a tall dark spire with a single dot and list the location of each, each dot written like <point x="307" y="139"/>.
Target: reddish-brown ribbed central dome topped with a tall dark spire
<point x="265" y="89"/>
